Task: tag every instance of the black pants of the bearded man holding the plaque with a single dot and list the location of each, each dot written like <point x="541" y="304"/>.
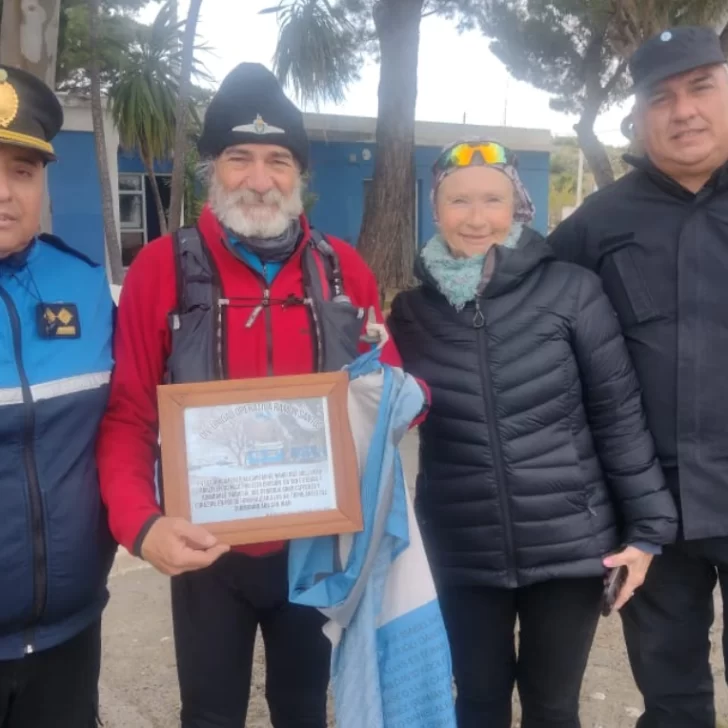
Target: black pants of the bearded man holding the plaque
<point x="217" y="612"/>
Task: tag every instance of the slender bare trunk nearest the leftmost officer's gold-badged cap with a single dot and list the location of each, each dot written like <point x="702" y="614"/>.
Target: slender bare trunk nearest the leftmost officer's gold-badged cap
<point x="113" y="248"/>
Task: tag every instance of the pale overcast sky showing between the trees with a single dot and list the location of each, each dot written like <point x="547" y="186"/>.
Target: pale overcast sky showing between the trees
<point x="458" y="76"/>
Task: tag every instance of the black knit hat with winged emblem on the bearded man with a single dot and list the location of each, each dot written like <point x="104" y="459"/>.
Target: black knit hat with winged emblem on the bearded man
<point x="251" y="108"/>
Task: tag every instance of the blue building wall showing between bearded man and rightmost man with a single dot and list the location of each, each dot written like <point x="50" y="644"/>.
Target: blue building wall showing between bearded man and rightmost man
<point x="338" y="172"/>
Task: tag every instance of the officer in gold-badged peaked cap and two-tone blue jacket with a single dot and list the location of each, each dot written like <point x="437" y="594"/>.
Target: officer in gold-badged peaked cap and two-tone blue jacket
<point x="56" y="317"/>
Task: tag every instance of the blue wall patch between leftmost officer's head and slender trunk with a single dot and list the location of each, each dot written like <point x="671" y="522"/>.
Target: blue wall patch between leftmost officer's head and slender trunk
<point x="73" y="185"/>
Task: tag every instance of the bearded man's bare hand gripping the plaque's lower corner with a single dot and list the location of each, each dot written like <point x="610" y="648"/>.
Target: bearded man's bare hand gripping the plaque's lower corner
<point x="175" y="546"/>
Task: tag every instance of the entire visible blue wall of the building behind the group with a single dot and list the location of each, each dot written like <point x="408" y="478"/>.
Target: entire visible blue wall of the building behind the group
<point x="338" y="175"/>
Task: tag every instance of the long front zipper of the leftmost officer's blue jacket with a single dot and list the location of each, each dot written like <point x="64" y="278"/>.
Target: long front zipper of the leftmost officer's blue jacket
<point x="40" y="576"/>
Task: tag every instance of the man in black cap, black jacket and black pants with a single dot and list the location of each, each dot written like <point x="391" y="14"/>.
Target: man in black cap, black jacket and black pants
<point x="659" y="239"/>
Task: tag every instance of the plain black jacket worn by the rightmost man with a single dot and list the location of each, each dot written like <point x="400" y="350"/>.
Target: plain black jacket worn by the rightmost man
<point x="662" y="254"/>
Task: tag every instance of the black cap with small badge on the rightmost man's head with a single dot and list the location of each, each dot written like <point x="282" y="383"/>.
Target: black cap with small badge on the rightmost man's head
<point x="672" y="52"/>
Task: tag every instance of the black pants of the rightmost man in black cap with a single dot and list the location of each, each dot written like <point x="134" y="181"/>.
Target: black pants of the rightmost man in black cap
<point x="666" y="626"/>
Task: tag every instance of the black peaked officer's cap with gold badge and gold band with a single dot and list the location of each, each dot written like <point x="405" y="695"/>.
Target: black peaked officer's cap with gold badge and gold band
<point x="30" y="113"/>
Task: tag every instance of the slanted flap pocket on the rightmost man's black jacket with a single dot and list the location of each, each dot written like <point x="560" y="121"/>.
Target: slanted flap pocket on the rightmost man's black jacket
<point x="627" y="287"/>
